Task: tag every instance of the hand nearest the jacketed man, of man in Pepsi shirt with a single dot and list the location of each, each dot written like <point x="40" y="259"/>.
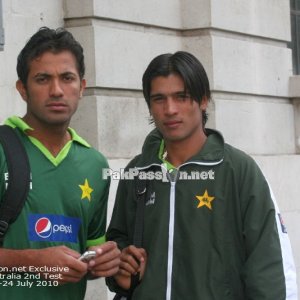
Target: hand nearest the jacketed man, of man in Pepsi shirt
<point x="107" y="260"/>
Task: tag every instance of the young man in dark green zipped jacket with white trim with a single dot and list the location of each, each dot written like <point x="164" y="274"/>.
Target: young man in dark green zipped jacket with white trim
<point x="212" y="229"/>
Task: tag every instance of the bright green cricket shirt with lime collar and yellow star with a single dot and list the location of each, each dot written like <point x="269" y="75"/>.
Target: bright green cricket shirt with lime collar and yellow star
<point x="58" y="189"/>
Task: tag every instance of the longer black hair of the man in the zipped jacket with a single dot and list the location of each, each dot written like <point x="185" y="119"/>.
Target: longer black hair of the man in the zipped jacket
<point x="187" y="66"/>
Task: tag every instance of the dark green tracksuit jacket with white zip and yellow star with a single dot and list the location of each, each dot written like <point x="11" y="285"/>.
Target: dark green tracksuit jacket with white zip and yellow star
<point x="215" y="235"/>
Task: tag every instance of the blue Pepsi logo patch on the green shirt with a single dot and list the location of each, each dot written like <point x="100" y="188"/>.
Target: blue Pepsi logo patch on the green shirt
<point x="54" y="228"/>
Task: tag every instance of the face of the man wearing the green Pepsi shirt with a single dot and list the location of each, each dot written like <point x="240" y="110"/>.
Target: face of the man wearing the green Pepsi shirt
<point x="53" y="89"/>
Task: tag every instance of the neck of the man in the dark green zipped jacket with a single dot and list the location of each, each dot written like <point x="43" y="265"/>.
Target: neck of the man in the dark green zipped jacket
<point x="178" y="152"/>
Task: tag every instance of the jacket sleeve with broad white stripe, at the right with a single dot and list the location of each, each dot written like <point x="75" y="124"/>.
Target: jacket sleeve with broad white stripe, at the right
<point x="269" y="271"/>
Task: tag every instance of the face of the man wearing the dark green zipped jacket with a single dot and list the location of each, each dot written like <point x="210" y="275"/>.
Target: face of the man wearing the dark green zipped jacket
<point x="175" y="114"/>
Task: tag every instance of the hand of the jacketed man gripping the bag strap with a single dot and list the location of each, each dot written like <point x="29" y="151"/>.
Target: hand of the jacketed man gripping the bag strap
<point x="133" y="261"/>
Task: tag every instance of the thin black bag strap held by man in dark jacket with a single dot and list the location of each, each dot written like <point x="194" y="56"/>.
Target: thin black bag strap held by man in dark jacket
<point x="140" y="190"/>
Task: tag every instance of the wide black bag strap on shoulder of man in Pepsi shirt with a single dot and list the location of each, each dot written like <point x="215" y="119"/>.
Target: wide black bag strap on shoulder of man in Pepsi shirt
<point x="18" y="181"/>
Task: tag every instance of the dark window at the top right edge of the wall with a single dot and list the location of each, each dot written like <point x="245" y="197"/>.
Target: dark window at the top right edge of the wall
<point x="295" y="30"/>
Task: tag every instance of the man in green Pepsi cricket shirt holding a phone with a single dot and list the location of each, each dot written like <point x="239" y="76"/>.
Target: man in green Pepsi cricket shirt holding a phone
<point x="65" y="211"/>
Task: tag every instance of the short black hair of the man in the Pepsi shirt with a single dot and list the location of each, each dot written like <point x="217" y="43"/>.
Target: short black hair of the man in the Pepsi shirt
<point x="53" y="40"/>
